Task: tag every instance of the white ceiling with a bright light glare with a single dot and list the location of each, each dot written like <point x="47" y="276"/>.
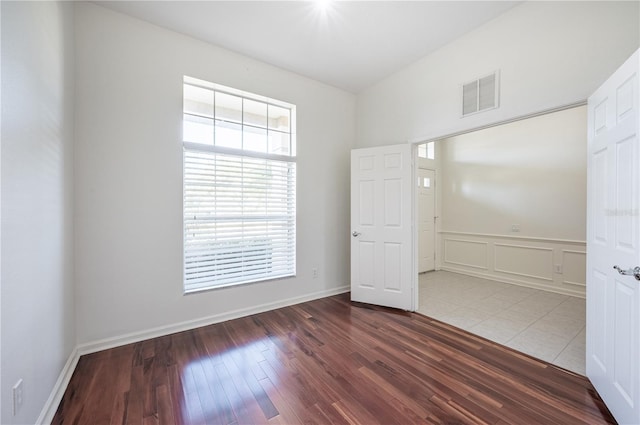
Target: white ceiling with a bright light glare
<point x="350" y="44"/>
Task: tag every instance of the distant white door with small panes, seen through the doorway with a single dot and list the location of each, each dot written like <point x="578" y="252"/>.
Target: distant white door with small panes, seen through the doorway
<point x="426" y="220"/>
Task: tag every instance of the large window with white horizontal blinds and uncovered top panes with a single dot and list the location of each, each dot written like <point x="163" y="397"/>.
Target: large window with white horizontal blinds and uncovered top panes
<point x="239" y="187"/>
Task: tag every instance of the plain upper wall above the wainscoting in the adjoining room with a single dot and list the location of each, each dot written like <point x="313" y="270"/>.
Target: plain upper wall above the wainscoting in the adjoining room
<point x="531" y="172"/>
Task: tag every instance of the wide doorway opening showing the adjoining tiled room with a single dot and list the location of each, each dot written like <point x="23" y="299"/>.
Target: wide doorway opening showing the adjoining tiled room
<point x="509" y="244"/>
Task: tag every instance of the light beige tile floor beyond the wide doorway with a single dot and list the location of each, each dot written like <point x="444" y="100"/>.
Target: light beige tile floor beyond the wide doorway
<point x="542" y="324"/>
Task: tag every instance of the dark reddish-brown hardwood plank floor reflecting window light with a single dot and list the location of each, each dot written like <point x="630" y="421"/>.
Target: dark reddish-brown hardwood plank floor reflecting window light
<point x="325" y="362"/>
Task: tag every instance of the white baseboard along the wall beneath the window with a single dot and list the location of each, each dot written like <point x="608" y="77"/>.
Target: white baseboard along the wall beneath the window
<point x="104" y="344"/>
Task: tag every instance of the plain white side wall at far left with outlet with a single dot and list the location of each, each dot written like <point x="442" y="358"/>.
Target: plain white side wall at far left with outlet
<point x="38" y="321"/>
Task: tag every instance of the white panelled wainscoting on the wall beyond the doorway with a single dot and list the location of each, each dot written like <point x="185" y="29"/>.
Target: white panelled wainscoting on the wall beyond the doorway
<point x="554" y="265"/>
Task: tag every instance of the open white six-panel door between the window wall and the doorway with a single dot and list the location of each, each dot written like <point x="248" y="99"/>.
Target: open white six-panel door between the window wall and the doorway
<point x="382" y="242"/>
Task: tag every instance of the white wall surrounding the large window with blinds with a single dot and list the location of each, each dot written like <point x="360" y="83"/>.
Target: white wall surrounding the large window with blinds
<point x="129" y="177"/>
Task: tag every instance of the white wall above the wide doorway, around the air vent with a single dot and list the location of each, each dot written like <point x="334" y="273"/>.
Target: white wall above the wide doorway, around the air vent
<point x="549" y="54"/>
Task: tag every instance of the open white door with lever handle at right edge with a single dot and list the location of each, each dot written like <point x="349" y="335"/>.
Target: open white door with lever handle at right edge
<point x="613" y="239"/>
